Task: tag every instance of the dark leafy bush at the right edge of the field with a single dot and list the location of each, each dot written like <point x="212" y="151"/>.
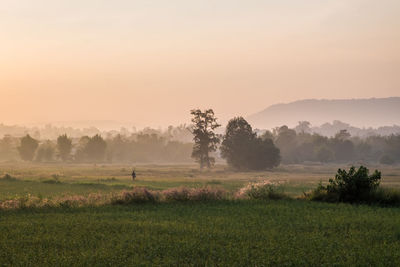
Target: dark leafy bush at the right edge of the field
<point x="355" y="186"/>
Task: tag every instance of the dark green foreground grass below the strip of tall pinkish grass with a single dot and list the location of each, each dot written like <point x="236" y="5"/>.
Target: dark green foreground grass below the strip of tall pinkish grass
<point x="213" y="233"/>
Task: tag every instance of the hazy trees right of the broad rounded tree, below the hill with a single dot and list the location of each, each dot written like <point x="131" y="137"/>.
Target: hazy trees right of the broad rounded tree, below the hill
<point x="300" y="145"/>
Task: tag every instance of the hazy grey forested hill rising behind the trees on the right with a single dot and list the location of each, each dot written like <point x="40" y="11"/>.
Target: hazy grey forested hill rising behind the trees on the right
<point x="372" y="112"/>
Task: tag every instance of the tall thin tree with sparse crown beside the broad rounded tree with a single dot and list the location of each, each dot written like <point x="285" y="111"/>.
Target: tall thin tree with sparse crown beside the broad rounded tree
<point x="204" y="137"/>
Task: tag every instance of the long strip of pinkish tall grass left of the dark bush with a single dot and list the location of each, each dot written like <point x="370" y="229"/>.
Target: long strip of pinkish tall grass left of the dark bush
<point x="262" y="190"/>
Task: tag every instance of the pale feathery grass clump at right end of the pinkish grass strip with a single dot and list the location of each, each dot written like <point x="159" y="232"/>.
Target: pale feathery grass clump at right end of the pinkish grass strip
<point x="264" y="190"/>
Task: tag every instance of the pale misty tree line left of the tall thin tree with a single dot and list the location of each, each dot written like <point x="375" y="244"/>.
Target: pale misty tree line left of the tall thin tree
<point x="141" y="148"/>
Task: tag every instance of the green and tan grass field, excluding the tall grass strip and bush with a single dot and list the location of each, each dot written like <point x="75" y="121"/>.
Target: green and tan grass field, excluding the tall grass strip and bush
<point x="229" y="233"/>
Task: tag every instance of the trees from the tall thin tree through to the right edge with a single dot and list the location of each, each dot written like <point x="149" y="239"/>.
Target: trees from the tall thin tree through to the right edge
<point x="244" y="148"/>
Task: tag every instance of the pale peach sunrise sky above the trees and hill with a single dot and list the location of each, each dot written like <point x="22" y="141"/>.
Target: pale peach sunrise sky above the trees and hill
<point x="148" y="63"/>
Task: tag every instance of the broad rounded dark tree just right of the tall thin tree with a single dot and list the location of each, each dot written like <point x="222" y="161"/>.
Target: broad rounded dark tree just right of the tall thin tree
<point x="243" y="150"/>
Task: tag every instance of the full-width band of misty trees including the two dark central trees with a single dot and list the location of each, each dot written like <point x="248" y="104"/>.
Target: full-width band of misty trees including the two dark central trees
<point x="240" y="146"/>
